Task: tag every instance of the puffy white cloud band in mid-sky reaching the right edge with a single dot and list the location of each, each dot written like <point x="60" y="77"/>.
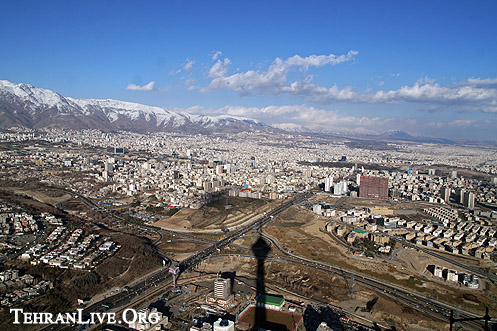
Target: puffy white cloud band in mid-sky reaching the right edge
<point x="474" y="94"/>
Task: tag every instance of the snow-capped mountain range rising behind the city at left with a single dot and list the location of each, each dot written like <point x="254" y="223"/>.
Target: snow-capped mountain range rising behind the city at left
<point x="32" y="107"/>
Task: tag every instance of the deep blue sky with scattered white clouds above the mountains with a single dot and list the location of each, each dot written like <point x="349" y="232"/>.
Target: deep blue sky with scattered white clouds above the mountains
<point x="424" y="67"/>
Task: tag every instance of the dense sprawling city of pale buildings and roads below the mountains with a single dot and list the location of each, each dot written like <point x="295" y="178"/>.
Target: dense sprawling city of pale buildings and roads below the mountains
<point x="73" y="200"/>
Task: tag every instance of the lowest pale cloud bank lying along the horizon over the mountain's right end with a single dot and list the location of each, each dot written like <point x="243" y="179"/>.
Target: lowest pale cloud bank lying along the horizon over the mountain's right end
<point x="301" y="118"/>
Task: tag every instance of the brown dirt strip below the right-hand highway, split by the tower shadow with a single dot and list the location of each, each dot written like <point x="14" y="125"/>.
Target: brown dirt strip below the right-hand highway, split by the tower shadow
<point x="328" y="288"/>
